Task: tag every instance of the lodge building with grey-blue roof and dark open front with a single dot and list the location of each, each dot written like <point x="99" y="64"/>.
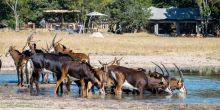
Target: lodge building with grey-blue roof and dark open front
<point x="175" y="21"/>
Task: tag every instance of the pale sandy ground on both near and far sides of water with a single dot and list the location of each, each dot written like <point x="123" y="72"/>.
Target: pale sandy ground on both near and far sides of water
<point x="12" y="100"/>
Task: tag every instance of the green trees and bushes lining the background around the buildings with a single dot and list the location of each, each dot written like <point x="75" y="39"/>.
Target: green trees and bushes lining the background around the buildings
<point x="132" y="15"/>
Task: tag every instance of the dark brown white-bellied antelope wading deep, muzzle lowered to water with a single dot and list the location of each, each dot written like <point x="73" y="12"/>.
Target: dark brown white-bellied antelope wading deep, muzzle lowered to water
<point x="132" y="79"/>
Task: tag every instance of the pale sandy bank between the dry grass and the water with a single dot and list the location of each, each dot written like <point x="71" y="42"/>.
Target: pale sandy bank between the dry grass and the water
<point x="187" y="62"/>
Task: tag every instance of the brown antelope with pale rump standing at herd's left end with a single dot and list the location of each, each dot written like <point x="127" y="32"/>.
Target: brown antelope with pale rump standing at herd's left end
<point x="20" y="63"/>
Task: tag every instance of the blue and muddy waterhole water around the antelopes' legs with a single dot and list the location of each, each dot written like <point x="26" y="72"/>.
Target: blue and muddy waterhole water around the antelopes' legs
<point x="200" y="89"/>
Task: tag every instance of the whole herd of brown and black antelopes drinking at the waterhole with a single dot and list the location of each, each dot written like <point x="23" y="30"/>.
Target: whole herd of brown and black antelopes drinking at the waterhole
<point x="68" y="66"/>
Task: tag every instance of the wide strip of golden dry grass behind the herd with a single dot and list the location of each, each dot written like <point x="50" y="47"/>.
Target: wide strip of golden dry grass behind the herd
<point x="126" y="44"/>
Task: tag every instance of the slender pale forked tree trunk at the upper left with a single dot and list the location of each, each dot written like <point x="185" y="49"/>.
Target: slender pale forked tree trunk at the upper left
<point x="13" y="5"/>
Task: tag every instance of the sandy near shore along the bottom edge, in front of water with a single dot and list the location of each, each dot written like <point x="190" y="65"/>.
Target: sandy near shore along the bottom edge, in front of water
<point x="36" y="103"/>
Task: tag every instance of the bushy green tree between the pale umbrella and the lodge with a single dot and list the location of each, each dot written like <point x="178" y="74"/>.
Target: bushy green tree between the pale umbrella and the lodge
<point x="127" y="15"/>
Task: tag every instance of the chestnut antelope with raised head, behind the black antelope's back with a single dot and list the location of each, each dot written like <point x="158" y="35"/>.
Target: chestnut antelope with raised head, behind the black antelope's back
<point x="60" y="48"/>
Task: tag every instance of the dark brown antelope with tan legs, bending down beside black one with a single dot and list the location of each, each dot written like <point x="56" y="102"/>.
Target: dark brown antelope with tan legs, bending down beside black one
<point x="82" y="71"/>
